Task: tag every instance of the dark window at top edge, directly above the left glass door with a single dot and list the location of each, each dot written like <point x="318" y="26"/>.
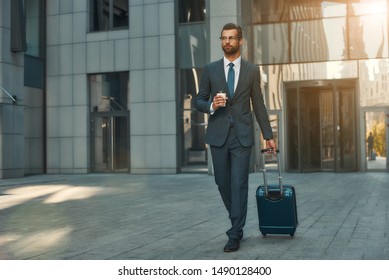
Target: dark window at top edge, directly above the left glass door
<point x="109" y="14"/>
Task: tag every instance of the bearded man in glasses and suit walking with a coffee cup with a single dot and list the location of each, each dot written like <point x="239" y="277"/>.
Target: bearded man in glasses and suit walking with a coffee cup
<point x="230" y="131"/>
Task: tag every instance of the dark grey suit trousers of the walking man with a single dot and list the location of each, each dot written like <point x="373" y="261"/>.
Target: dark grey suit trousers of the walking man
<point x="231" y="168"/>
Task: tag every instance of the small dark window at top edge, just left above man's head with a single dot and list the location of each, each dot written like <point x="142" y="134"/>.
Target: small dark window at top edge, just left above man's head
<point x="191" y="10"/>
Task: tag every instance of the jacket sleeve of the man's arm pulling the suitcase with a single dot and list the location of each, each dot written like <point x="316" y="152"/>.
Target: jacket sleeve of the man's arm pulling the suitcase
<point x="259" y="106"/>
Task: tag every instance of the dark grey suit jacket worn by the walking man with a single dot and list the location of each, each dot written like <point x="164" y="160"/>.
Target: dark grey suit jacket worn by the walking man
<point x="238" y="108"/>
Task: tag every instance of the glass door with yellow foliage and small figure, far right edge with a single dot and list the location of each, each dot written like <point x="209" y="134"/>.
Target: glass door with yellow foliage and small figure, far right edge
<point x="376" y="137"/>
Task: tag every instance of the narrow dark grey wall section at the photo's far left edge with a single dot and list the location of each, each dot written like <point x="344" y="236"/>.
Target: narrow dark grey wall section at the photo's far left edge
<point x="11" y="115"/>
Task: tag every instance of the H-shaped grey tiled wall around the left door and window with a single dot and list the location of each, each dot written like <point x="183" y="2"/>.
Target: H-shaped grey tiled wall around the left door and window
<point x="146" y="50"/>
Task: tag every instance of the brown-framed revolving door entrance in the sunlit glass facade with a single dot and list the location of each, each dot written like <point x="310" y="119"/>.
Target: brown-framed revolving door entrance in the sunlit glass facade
<point x="321" y="126"/>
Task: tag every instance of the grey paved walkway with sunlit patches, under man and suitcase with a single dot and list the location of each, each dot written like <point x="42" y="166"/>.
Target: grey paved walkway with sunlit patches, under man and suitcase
<point x="123" y="216"/>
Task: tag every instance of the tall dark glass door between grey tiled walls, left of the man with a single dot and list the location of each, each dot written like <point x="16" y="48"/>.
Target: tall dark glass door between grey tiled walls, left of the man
<point x="110" y="119"/>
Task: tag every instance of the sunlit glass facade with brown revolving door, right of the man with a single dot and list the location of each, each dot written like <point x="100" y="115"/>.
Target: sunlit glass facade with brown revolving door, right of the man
<point x="324" y="62"/>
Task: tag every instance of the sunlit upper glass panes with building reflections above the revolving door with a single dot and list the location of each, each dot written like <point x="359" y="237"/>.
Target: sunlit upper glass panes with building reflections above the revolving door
<point x="344" y="30"/>
